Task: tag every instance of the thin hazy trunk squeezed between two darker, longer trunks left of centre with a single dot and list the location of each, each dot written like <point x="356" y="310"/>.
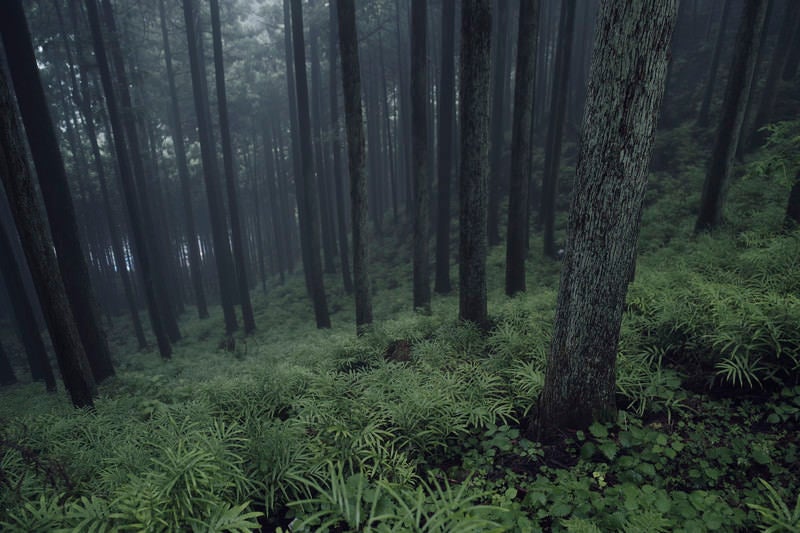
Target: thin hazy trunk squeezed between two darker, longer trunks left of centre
<point x="336" y="148"/>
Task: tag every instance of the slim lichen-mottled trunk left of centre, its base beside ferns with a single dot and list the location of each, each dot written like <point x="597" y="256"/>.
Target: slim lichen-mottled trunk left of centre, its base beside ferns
<point x="354" y="120"/>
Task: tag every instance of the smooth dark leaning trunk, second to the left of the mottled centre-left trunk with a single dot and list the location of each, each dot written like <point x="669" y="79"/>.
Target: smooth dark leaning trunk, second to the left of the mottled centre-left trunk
<point x="309" y="217"/>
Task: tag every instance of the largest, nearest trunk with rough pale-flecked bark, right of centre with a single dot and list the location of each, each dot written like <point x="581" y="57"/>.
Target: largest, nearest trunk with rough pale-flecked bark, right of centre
<point x="626" y="86"/>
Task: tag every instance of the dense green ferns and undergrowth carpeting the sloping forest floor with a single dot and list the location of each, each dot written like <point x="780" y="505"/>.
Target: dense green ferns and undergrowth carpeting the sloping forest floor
<point x="419" y="425"/>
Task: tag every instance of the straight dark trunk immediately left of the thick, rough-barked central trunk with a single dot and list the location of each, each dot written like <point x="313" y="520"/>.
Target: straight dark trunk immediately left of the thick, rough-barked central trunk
<point x="445" y="147"/>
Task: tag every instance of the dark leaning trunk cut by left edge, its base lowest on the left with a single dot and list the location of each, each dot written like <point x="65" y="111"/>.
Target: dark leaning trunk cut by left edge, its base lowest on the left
<point x="21" y="191"/>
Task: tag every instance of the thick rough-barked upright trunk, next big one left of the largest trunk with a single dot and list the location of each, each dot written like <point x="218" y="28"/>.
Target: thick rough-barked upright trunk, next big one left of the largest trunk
<point x="476" y="31"/>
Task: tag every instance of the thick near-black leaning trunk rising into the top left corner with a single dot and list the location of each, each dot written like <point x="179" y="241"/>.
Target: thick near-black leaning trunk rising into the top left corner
<point x="54" y="185"/>
